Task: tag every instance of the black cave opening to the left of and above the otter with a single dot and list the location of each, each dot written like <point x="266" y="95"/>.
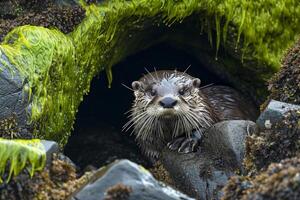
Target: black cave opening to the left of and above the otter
<point x="97" y="138"/>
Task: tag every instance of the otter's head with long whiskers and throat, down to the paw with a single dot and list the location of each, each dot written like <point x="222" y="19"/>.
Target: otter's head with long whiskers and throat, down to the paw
<point x="167" y="104"/>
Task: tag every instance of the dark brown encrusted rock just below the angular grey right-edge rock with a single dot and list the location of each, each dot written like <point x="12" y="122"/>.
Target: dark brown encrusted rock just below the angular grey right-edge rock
<point x="272" y="145"/>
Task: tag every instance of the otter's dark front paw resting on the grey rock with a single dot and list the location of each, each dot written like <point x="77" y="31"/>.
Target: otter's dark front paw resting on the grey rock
<point x="185" y="144"/>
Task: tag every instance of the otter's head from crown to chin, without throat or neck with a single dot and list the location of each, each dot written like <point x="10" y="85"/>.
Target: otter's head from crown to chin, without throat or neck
<point x="167" y="96"/>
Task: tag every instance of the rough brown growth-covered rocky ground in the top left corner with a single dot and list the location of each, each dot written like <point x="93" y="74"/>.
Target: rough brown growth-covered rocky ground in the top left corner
<point x="46" y="13"/>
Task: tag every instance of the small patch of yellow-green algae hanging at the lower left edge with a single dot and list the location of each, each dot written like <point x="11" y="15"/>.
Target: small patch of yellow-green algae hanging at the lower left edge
<point x="19" y="154"/>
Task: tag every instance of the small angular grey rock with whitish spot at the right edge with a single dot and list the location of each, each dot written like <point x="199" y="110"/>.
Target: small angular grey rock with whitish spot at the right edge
<point x="273" y="113"/>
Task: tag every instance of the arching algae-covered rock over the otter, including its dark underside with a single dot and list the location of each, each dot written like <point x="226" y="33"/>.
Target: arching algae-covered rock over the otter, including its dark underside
<point x="56" y="68"/>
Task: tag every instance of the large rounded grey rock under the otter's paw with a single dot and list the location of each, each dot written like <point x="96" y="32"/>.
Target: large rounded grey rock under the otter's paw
<point x="204" y="173"/>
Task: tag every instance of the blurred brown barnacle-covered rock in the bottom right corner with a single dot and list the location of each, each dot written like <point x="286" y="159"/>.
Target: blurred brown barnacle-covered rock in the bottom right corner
<point x="279" y="181"/>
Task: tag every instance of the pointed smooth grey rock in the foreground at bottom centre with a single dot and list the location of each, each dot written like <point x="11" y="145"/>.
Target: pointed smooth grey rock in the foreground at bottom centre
<point x="130" y="179"/>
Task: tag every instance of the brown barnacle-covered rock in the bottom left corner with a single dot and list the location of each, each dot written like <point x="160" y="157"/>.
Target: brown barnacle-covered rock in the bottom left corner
<point x="58" y="181"/>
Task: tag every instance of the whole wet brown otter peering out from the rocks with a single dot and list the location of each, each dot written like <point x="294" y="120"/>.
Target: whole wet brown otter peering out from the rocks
<point x="170" y="108"/>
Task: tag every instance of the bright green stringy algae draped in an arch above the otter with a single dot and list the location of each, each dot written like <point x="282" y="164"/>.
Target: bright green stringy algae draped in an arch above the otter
<point x="60" y="67"/>
